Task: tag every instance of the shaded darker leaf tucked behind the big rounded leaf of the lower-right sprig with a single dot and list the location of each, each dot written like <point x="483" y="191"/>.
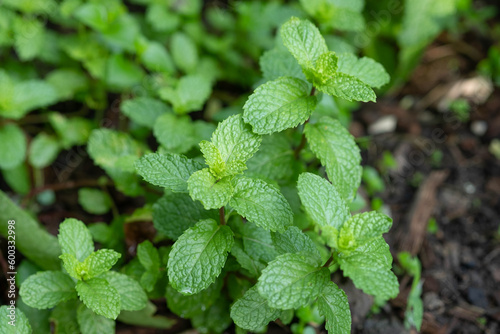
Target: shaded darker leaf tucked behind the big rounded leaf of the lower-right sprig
<point x="293" y="240"/>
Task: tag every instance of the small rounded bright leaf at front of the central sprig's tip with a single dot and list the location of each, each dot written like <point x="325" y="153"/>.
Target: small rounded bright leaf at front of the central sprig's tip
<point x="210" y="191"/>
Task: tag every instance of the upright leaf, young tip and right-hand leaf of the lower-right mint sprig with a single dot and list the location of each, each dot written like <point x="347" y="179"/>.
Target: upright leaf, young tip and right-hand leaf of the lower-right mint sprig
<point x="363" y="255"/>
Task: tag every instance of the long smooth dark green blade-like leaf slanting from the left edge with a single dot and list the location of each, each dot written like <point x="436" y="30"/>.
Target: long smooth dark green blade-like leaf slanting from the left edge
<point x="32" y="240"/>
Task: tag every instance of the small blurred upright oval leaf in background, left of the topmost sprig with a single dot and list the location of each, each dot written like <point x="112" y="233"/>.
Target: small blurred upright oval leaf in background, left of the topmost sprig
<point x="184" y="52"/>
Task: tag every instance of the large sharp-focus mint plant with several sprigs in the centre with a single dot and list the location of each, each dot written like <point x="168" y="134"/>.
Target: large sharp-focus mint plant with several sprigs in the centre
<point x="245" y="213"/>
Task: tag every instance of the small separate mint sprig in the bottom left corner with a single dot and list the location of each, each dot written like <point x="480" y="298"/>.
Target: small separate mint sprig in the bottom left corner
<point x="86" y="276"/>
